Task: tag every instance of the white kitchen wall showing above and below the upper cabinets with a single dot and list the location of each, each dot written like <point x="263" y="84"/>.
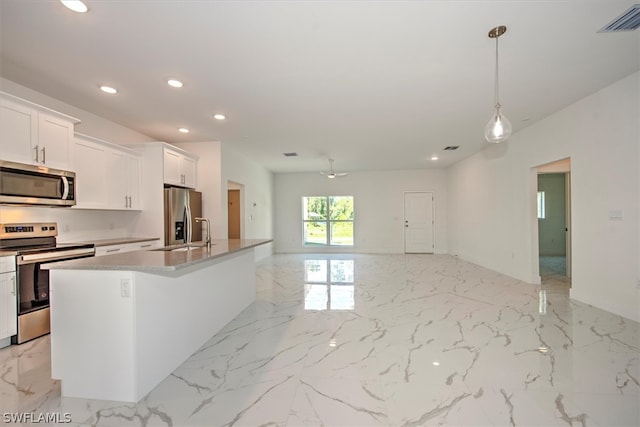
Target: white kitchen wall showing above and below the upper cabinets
<point x="77" y="225"/>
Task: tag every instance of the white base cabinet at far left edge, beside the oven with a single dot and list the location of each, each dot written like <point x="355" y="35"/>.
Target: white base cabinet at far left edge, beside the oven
<point x="8" y="298"/>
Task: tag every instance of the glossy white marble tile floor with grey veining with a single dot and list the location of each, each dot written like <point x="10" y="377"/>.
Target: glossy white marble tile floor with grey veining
<point x="369" y="340"/>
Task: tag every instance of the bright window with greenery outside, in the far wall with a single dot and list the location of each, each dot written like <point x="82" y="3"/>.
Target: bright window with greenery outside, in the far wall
<point x="327" y="220"/>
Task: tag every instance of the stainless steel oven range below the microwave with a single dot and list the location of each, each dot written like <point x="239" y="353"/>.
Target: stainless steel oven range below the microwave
<point x="35" y="244"/>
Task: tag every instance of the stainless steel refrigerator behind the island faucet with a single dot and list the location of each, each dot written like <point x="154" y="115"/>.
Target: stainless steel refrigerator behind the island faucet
<point x="181" y="206"/>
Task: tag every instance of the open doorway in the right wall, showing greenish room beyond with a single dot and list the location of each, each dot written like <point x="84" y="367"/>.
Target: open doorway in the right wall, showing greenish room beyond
<point x="554" y="222"/>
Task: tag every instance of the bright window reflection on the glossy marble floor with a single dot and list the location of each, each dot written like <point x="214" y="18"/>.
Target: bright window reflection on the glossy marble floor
<point x="329" y="284"/>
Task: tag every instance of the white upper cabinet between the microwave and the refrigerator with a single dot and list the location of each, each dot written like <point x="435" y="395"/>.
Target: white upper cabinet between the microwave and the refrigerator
<point x="107" y="175"/>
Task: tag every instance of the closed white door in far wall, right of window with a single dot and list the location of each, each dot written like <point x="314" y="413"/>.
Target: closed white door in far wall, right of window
<point x="418" y="222"/>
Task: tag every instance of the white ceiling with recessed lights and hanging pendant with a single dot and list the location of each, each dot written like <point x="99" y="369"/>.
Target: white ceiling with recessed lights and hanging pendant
<point x="372" y="84"/>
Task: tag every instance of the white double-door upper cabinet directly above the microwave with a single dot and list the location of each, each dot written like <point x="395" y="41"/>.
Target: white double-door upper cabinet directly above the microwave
<point x="32" y="134"/>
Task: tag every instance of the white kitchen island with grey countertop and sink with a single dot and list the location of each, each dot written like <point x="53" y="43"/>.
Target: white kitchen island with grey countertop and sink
<point x="121" y="323"/>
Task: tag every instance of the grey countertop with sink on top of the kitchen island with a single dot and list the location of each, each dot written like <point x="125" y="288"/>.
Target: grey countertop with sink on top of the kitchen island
<point x="161" y="260"/>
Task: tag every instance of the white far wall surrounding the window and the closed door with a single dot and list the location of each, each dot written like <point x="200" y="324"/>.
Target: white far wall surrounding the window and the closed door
<point x="379" y="207"/>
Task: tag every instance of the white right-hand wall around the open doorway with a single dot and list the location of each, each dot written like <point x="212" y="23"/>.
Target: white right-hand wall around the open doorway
<point x="492" y="218"/>
